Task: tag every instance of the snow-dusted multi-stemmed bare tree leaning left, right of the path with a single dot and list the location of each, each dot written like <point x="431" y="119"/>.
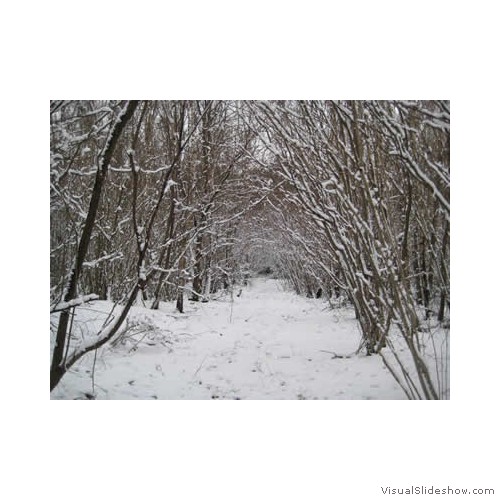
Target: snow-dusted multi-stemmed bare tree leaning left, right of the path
<point x="344" y="168"/>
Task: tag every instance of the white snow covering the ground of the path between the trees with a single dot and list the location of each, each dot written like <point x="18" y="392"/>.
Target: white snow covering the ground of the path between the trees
<point x="266" y="344"/>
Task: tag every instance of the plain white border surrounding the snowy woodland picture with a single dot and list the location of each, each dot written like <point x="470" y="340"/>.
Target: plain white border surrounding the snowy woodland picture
<point x="225" y="50"/>
